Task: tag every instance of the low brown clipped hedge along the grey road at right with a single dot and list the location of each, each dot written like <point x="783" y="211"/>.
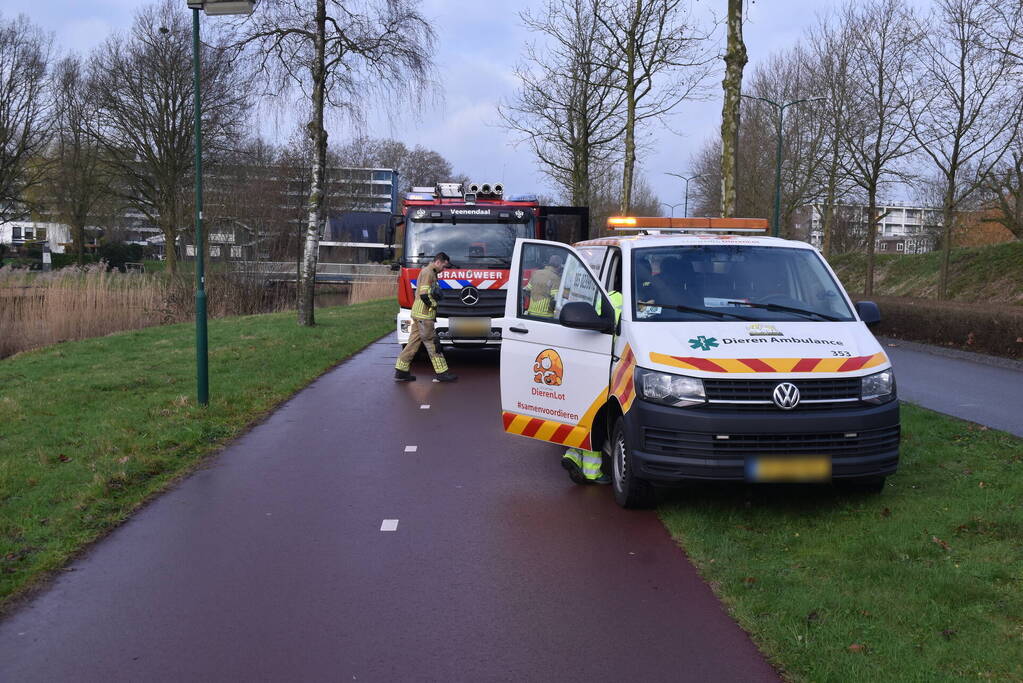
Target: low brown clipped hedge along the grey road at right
<point x="990" y="329"/>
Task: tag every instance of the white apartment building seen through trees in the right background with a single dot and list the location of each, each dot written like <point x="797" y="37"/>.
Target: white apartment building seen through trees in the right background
<point x="903" y="229"/>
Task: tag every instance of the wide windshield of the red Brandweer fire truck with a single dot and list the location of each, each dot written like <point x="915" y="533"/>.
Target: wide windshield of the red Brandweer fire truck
<point x="468" y="245"/>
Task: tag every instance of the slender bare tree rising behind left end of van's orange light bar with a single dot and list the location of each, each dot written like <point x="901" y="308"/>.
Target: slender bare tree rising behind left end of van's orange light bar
<point x="660" y="58"/>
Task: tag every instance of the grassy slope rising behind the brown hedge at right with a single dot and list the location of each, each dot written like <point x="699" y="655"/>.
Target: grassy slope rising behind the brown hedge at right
<point x="992" y="275"/>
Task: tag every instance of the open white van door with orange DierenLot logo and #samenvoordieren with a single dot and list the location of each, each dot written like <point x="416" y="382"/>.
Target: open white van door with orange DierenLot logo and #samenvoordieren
<point x="556" y="352"/>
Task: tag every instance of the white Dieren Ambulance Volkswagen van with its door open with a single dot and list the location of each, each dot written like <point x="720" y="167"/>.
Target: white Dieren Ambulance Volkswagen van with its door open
<point x="736" y="358"/>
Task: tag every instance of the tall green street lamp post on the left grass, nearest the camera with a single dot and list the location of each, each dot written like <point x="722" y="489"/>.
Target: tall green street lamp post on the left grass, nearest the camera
<point x="212" y="8"/>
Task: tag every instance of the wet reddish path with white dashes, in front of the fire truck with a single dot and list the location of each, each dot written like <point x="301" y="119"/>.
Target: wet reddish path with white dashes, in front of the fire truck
<point x="272" y="564"/>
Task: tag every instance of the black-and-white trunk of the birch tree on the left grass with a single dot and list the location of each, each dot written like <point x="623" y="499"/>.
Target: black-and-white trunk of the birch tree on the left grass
<point x="307" y="278"/>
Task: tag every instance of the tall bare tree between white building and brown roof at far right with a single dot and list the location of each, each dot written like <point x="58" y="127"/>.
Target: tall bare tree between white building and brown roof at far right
<point x="968" y="108"/>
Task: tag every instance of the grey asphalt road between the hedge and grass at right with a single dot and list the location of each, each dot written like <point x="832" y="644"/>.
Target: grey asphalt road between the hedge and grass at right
<point x="959" y="385"/>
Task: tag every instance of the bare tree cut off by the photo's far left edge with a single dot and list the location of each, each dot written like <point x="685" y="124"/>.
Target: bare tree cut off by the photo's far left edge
<point x="25" y="103"/>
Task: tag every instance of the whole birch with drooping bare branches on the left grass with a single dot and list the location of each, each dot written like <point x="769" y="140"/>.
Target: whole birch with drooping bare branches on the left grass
<point x="335" y="55"/>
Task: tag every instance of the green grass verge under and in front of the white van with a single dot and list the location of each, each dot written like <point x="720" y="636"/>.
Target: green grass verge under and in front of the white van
<point x="923" y="583"/>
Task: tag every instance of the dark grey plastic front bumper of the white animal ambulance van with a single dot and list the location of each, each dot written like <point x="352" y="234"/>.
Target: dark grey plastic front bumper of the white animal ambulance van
<point x="677" y="444"/>
